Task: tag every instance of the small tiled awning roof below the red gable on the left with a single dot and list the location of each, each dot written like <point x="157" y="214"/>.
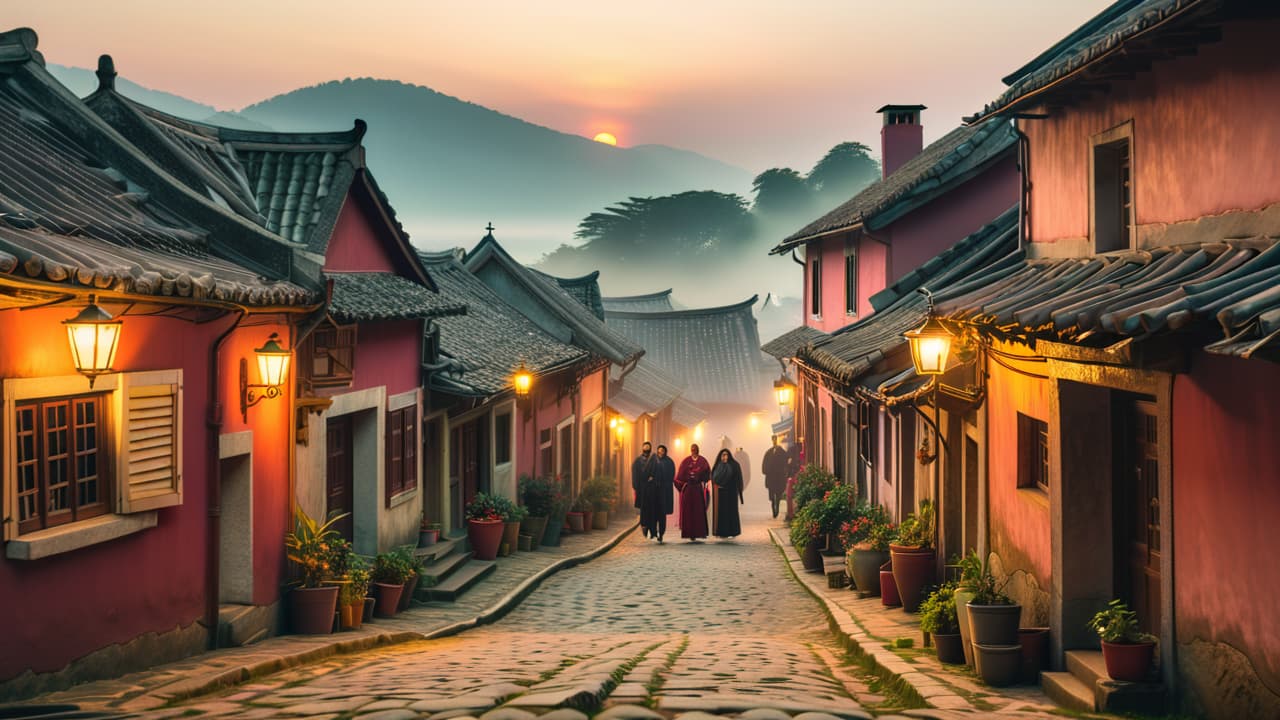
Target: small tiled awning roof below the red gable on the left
<point x="385" y="297"/>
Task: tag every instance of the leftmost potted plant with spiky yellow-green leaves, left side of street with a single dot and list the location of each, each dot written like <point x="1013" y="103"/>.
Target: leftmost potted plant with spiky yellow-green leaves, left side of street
<point x="310" y="549"/>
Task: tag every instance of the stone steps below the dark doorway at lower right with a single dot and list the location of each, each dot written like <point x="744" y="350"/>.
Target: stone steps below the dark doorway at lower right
<point x="1087" y="689"/>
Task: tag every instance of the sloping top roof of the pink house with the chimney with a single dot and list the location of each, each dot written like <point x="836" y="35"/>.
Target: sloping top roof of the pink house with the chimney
<point x="947" y="163"/>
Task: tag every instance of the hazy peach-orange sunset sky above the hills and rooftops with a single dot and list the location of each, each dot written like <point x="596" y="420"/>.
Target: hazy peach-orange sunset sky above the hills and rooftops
<point x="757" y="84"/>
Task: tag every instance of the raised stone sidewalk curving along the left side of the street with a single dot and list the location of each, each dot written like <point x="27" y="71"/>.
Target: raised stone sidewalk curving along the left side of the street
<point x="515" y="578"/>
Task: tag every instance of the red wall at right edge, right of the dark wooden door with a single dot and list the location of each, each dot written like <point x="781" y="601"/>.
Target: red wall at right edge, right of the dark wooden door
<point x="1227" y="498"/>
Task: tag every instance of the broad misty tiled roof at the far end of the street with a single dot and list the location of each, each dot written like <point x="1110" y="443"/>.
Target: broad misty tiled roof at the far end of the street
<point x="715" y="352"/>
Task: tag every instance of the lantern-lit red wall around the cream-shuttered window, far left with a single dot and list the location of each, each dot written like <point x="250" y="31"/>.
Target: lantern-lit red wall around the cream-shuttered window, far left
<point x="153" y="581"/>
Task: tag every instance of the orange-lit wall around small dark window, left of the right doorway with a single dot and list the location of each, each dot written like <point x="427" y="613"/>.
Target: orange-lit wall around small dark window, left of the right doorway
<point x="1020" y="523"/>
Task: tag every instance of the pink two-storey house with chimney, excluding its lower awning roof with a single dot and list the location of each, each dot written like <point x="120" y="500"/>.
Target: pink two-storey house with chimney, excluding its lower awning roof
<point x="927" y="202"/>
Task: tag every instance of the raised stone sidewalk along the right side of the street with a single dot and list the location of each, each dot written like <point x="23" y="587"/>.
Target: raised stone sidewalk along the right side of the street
<point x="870" y="628"/>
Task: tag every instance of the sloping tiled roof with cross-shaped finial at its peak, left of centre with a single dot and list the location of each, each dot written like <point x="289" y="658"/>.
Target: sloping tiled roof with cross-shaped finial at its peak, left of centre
<point x="570" y="321"/>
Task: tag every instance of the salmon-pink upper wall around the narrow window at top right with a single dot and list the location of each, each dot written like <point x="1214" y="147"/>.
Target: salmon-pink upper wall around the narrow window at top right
<point x="1199" y="125"/>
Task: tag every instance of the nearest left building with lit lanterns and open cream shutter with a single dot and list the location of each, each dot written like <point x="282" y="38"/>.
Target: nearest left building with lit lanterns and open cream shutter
<point x="139" y="499"/>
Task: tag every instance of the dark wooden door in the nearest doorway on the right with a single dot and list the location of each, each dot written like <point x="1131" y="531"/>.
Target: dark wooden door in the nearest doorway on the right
<point x="1139" y="534"/>
